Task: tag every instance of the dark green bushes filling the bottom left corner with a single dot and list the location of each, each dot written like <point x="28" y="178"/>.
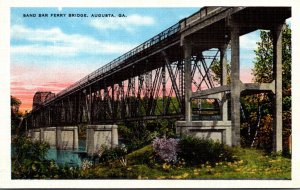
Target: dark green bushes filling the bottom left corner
<point x="29" y="162"/>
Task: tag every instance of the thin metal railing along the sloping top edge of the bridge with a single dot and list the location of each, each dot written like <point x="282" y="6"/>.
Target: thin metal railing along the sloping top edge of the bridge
<point x="118" y="61"/>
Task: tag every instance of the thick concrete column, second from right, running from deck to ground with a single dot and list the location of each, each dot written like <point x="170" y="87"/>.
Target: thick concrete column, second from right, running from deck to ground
<point x="235" y="83"/>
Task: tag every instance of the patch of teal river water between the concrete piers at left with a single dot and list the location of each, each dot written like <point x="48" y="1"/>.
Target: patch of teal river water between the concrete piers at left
<point x="68" y="157"/>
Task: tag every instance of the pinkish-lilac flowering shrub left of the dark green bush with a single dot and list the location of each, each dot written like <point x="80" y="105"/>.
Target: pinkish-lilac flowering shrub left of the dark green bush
<point x="166" y="149"/>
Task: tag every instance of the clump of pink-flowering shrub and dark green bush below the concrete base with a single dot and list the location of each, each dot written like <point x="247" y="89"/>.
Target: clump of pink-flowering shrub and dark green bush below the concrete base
<point x="192" y="150"/>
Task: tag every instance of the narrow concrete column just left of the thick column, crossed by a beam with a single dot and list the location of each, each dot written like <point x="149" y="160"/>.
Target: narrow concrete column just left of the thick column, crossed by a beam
<point x="223" y="59"/>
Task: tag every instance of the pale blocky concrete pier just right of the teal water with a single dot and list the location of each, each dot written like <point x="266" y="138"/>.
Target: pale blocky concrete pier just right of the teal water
<point x="98" y="135"/>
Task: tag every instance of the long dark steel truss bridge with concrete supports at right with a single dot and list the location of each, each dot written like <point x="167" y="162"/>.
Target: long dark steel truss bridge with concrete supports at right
<point x="169" y="74"/>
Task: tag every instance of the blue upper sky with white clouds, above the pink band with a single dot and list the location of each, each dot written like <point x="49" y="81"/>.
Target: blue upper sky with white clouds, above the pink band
<point x="94" y="41"/>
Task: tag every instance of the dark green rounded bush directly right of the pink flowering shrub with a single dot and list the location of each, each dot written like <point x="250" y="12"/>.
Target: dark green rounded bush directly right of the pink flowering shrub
<point x="196" y="151"/>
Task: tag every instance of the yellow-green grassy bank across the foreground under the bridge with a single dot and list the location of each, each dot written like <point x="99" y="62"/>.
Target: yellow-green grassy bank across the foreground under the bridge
<point x="250" y="164"/>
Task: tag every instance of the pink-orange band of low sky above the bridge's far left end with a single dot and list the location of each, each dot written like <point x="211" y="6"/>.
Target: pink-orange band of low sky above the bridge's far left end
<point x="25" y="81"/>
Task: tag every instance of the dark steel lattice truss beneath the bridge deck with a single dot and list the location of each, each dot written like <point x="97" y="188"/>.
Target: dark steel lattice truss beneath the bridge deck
<point x="153" y="94"/>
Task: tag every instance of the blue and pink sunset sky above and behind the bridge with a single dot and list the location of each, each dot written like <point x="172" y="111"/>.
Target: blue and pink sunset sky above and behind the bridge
<point x="50" y="53"/>
